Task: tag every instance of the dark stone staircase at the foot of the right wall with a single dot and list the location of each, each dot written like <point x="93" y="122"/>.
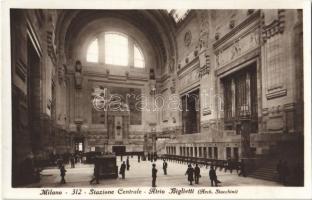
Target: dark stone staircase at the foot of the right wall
<point x="267" y="171"/>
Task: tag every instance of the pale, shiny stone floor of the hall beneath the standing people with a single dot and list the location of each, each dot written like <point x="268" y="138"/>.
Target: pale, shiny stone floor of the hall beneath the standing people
<point x="140" y="175"/>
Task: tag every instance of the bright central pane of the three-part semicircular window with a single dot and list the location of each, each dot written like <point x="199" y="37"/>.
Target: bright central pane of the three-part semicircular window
<point x="116" y="49"/>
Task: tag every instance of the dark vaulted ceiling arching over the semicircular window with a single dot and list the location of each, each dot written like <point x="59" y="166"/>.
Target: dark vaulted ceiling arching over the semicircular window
<point x="157" y="26"/>
